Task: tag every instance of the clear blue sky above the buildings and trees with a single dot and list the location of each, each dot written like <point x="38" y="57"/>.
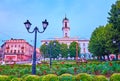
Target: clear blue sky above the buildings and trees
<point x="84" y="16"/>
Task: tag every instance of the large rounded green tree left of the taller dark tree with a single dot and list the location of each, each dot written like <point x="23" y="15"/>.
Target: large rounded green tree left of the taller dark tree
<point x="101" y="41"/>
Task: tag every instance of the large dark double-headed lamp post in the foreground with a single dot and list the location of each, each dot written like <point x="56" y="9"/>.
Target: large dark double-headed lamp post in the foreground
<point x="28" y="25"/>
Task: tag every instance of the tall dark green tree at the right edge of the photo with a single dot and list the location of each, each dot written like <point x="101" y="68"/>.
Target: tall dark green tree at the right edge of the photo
<point x="114" y="18"/>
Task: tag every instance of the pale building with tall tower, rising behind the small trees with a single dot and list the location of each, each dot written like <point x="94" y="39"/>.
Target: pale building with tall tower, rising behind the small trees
<point x="66" y="39"/>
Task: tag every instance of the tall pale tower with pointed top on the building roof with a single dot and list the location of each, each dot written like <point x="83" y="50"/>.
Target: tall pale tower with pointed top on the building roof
<point x="66" y="28"/>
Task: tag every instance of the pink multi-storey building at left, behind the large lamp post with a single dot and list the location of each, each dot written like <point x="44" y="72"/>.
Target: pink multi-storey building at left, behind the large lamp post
<point x="18" y="50"/>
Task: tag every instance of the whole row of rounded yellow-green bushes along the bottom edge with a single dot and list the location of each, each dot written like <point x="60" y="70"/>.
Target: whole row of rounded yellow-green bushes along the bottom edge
<point x="63" y="77"/>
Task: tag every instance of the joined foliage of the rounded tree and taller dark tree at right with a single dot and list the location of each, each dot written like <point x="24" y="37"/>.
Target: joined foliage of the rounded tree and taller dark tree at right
<point x="101" y="41"/>
